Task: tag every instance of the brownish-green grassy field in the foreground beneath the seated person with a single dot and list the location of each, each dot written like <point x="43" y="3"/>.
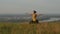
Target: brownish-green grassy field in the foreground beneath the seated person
<point x="41" y="28"/>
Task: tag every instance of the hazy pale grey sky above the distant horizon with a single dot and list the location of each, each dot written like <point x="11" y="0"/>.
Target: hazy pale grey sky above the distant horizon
<point x="23" y="6"/>
